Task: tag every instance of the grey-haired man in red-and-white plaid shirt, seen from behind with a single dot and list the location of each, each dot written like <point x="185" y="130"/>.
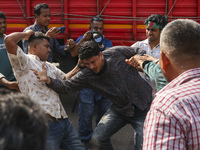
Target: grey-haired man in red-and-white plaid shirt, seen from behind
<point x="173" y="121"/>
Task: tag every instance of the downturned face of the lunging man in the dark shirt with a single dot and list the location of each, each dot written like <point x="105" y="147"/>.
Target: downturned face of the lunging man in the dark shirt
<point x="95" y="63"/>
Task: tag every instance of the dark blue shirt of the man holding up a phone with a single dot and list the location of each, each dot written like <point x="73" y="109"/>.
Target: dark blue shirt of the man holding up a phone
<point x="54" y="45"/>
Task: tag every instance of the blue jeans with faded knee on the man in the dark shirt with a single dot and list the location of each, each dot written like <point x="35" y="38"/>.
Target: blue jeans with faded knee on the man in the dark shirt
<point x="112" y="122"/>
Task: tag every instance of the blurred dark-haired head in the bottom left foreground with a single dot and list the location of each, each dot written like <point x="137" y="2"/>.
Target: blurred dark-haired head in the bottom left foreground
<point x="23" y="123"/>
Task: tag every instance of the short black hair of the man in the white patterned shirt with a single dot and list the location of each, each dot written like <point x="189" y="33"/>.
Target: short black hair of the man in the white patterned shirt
<point x="38" y="36"/>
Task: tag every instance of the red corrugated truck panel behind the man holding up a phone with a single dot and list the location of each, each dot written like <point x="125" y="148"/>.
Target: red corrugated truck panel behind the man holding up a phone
<point x="17" y="14"/>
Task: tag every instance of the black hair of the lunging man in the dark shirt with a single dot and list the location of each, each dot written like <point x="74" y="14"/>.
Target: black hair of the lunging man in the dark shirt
<point x="88" y="49"/>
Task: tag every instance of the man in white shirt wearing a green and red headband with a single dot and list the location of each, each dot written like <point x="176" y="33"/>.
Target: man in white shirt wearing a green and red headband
<point x="155" y="23"/>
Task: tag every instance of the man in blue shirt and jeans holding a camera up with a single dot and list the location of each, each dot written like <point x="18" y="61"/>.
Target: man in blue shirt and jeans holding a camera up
<point x="88" y="98"/>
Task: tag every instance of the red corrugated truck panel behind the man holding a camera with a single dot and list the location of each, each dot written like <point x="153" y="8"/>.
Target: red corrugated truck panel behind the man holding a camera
<point x="115" y="28"/>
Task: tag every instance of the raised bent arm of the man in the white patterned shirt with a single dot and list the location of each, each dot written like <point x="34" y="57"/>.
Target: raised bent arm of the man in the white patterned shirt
<point x="12" y="39"/>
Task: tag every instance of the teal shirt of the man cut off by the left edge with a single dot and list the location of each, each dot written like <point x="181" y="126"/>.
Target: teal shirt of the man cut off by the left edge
<point x="5" y="66"/>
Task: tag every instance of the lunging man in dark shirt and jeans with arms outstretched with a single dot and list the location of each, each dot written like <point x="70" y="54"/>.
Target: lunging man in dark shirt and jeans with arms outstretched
<point x="107" y="73"/>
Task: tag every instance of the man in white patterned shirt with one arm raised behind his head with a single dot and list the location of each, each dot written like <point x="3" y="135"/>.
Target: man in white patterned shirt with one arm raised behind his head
<point x="62" y="134"/>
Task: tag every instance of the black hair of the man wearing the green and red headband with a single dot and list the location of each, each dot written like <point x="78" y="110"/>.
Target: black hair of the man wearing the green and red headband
<point x="158" y="19"/>
